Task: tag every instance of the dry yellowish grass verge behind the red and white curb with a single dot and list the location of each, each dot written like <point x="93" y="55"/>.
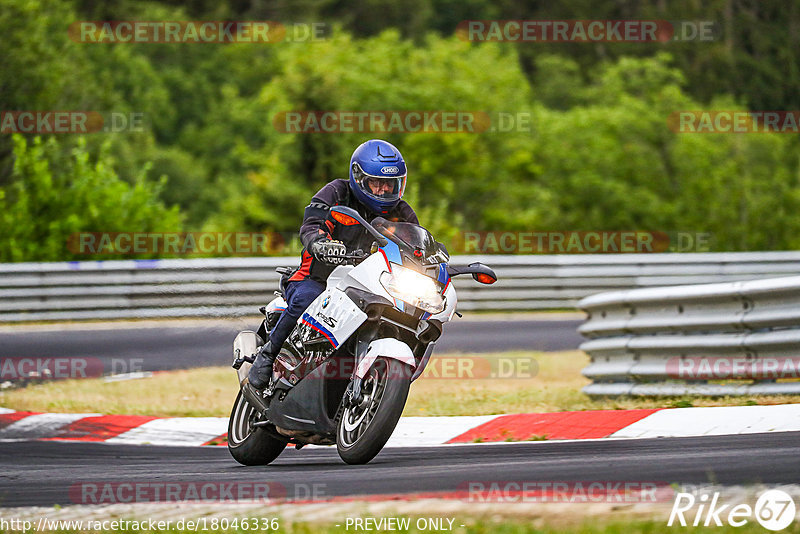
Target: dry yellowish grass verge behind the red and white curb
<point x="548" y="382"/>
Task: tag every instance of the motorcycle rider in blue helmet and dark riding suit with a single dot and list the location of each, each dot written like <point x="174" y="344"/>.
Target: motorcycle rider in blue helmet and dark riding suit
<point x="375" y="188"/>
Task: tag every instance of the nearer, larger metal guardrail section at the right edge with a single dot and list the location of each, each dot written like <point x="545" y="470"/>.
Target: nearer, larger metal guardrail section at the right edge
<point x="738" y="338"/>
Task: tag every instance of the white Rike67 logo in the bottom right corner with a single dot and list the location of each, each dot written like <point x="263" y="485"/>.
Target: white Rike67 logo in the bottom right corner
<point x="774" y="510"/>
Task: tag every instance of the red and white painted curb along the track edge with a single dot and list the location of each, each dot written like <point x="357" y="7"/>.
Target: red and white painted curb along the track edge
<point x="422" y="431"/>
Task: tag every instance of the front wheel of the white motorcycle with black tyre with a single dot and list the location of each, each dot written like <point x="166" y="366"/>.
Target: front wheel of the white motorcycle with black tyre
<point x="365" y="428"/>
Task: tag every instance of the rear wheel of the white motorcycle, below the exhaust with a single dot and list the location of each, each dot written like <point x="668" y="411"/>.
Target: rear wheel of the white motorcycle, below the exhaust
<point x="248" y="445"/>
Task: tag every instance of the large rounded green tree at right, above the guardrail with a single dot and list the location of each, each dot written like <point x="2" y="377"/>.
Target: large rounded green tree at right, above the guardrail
<point x="614" y="164"/>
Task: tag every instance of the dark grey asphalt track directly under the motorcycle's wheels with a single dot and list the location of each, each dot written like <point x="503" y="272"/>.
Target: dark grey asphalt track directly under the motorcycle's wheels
<point x="41" y="473"/>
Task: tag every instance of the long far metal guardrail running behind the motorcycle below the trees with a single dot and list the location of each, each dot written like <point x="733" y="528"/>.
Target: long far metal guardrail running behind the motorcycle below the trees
<point x="238" y="286"/>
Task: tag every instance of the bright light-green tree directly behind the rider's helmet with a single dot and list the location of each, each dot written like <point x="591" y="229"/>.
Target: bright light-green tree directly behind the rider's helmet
<point x="453" y="177"/>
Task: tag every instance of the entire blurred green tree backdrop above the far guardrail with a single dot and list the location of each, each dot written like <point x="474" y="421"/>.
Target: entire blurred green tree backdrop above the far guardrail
<point x="599" y="155"/>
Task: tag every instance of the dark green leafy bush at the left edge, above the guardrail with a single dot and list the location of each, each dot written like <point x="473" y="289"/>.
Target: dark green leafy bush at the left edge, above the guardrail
<point x="53" y="196"/>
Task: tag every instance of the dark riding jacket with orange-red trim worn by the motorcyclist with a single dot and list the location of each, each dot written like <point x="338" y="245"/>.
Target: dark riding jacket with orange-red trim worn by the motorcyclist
<point x="316" y="226"/>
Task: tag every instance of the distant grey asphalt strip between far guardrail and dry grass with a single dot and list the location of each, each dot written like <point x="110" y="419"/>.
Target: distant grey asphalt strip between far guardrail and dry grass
<point x="160" y="348"/>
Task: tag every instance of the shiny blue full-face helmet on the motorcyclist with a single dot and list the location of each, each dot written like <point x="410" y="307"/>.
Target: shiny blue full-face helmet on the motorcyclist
<point x="377" y="175"/>
